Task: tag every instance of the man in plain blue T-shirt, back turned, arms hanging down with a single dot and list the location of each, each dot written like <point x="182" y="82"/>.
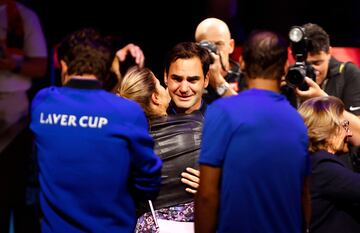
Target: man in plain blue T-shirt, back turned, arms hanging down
<point x="253" y="160"/>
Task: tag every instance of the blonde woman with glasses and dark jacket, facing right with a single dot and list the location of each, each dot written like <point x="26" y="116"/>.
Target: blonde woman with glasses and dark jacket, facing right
<point x="335" y="188"/>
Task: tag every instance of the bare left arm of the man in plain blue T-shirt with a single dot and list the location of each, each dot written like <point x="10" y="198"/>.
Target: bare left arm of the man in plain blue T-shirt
<point x="207" y="199"/>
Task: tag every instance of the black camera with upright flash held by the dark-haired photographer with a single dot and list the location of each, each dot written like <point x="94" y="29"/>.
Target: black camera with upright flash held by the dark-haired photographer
<point x="295" y="76"/>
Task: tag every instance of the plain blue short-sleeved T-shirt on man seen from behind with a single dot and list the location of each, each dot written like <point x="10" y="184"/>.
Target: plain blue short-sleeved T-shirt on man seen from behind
<point x="260" y="142"/>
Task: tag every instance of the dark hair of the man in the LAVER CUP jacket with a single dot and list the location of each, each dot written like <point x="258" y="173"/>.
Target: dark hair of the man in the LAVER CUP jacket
<point x="86" y="51"/>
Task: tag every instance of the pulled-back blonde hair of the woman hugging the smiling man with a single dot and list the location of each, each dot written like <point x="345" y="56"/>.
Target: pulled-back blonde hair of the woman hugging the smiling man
<point x="138" y="84"/>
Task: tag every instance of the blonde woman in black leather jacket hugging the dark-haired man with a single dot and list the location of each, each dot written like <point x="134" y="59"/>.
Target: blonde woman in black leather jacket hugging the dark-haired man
<point x="177" y="142"/>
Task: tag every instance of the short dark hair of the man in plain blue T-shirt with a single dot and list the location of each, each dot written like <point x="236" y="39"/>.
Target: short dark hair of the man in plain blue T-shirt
<point x="265" y="55"/>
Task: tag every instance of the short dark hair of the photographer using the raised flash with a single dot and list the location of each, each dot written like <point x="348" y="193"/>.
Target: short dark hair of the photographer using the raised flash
<point x="318" y="38"/>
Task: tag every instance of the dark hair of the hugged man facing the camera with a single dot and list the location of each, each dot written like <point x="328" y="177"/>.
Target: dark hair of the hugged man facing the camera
<point x="187" y="50"/>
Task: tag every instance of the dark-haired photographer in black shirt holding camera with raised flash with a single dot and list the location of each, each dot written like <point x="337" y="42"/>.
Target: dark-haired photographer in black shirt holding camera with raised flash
<point x="335" y="78"/>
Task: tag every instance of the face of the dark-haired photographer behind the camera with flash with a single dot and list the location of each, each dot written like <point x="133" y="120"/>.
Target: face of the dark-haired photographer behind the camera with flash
<point x="320" y="62"/>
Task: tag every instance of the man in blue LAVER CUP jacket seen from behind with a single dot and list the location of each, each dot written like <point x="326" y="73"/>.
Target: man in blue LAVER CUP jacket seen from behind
<point x="94" y="151"/>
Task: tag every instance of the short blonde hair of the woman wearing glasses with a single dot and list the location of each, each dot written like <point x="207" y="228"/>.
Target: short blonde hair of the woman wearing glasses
<point x="322" y="116"/>
